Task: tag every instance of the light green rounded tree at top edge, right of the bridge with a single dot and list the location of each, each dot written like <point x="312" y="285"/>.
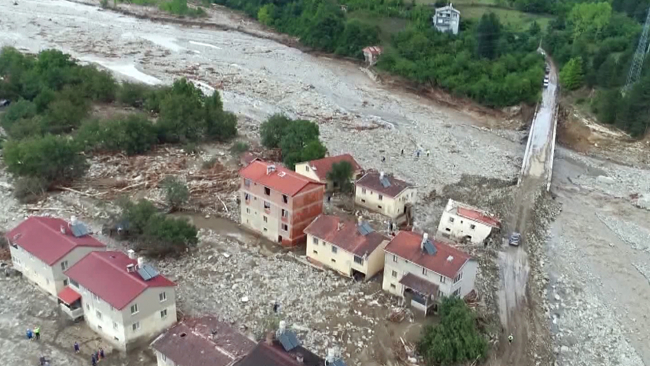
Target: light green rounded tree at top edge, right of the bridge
<point x="589" y="18"/>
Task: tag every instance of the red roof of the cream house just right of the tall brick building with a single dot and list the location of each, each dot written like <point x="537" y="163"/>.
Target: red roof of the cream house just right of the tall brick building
<point x="326" y="227"/>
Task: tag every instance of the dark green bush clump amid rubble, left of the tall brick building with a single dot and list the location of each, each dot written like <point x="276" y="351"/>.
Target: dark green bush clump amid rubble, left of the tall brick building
<point x="156" y="234"/>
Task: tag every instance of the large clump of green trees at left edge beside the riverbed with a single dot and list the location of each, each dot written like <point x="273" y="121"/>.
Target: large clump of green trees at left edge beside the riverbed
<point x="49" y="122"/>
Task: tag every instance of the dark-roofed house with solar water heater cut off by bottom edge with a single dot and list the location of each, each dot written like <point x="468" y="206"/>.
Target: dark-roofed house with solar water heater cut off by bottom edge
<point x="282" y="348"/>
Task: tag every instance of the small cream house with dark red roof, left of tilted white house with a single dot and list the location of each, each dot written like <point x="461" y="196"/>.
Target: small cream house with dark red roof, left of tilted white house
<point x="384" y="193"/>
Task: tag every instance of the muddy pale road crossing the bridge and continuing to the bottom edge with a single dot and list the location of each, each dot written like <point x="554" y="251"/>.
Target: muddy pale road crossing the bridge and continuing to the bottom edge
<point x="514" y="303"/>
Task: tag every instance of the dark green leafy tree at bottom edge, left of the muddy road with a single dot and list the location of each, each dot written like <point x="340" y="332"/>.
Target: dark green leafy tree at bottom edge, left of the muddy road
<point x="456" y="339"/>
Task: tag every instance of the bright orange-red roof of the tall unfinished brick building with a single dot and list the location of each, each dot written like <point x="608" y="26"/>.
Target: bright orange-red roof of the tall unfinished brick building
<point x="282" y="179"/>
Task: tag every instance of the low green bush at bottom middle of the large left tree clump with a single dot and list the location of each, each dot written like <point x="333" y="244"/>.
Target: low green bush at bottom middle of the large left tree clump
<point x="133" y="134"/>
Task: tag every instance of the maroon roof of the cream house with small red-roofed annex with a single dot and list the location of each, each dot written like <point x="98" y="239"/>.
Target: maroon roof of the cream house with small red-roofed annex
<point x="104" y="274"/>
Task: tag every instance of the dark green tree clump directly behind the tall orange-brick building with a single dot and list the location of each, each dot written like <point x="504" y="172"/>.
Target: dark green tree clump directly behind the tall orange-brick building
<point x="298" y="139"/>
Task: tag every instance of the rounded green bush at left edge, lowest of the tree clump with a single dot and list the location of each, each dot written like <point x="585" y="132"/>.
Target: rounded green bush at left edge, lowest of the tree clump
<point x="53" y="159"/>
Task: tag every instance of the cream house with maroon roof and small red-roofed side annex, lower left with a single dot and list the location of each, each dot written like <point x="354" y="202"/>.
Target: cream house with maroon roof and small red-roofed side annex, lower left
<point x="122" y="299"/>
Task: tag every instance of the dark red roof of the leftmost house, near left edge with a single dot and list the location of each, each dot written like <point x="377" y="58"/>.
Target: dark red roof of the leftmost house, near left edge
<point x="42" y="237"/>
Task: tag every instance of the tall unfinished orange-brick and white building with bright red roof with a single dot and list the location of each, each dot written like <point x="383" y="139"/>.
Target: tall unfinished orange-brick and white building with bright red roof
<point x="277" y="202"/>
